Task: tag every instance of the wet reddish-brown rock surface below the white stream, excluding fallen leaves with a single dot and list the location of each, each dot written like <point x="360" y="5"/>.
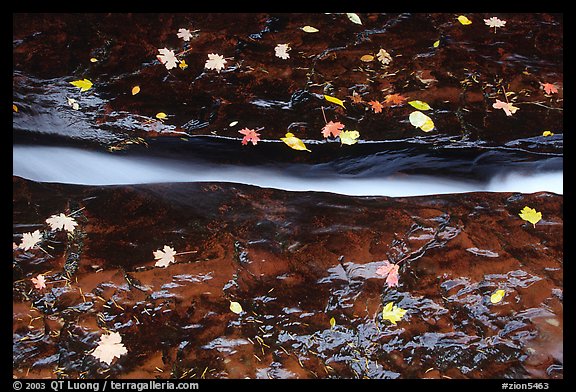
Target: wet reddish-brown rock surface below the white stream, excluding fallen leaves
<point x="293" y="260"/>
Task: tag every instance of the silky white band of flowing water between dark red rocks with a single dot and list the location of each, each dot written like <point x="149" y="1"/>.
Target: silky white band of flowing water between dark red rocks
<point x="76" y="166"/>
